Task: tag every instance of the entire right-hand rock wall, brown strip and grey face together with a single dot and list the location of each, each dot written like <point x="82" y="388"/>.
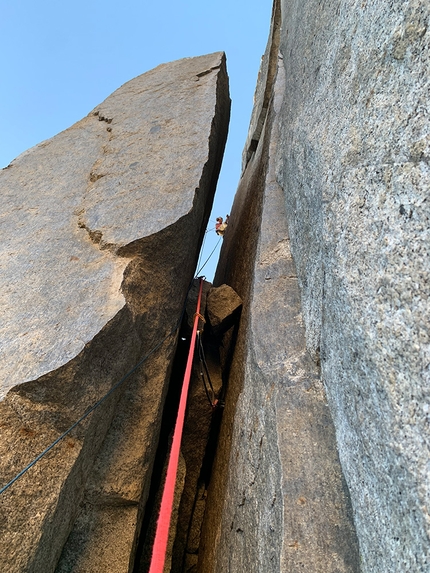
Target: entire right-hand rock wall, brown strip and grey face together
<point x="327" y="245"/>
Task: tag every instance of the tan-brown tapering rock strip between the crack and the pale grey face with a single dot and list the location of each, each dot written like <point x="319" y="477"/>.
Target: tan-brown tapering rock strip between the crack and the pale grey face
<point x="277" y="499"/>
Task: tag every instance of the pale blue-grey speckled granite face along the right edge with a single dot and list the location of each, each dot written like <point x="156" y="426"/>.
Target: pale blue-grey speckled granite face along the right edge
<point x="354" y="165"/>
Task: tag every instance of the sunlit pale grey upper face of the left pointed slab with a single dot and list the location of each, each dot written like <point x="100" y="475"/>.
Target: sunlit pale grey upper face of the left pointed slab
<point x="79" y="204"/>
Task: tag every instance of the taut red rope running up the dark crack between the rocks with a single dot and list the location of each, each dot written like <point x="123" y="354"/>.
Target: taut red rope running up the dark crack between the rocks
<point x="163" y="524"/>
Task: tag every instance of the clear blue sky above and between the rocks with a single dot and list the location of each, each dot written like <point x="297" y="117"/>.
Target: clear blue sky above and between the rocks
<point x="60" y="59"/>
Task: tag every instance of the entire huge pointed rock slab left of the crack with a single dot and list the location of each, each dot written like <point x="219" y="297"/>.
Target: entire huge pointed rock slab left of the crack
<point x="101" y="229"/>
